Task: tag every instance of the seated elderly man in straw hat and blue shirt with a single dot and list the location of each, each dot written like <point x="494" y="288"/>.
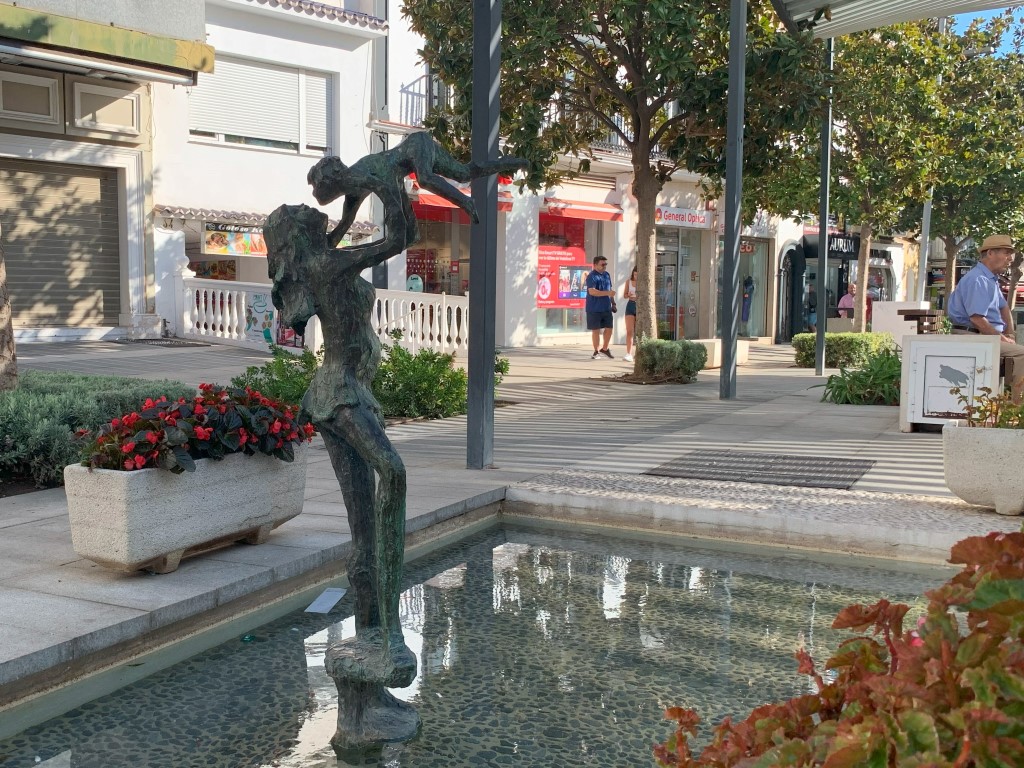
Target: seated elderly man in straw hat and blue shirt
<point x="977" y="306"/>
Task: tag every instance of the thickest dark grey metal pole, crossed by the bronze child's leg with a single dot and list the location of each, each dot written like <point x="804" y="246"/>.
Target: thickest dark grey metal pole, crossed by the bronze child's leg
<point x="484" y="236"/>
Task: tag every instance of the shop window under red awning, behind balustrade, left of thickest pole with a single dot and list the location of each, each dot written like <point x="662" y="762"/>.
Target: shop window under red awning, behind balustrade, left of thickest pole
<point x="440" y="263"/>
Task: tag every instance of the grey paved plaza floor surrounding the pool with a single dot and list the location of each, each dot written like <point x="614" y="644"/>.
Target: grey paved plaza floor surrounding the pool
<point x="573" y="446"/>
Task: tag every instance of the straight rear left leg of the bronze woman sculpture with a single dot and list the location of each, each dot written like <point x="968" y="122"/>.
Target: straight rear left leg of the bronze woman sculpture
<point x="358" y="490"/>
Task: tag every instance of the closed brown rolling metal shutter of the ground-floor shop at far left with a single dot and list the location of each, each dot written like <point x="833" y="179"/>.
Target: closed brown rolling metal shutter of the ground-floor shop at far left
<point x="62" y="243"/>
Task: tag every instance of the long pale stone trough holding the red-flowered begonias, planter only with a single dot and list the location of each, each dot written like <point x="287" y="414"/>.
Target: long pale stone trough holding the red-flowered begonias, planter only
<point x="152" y="519"/>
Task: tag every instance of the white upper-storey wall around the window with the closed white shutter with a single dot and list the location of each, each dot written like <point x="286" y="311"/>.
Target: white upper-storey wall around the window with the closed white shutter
<point x="199" y="175"/>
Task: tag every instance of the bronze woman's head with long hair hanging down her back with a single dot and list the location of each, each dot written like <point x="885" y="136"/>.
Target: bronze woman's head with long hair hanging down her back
<point x="294" y="235"/>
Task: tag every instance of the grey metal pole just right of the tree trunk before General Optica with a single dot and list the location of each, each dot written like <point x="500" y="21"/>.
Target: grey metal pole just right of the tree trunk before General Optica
<point x="734" y="196"/>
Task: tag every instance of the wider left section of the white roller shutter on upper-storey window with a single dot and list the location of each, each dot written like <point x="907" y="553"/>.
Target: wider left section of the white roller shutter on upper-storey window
<point x="247" y="99"/>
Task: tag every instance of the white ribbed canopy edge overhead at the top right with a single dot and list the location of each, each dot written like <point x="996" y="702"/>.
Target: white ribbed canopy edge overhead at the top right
<point x="857" y="16"/>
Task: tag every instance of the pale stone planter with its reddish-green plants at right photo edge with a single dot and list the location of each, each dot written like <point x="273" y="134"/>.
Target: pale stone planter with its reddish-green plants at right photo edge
<point x="984" y="454"/>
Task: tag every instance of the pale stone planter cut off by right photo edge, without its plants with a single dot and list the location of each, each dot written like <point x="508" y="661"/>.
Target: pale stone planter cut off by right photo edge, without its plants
<point x="986" y="466"/>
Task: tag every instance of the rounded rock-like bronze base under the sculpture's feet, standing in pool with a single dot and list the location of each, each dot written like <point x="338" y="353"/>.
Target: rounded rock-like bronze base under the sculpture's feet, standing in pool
<point x="369" y="717"/>
